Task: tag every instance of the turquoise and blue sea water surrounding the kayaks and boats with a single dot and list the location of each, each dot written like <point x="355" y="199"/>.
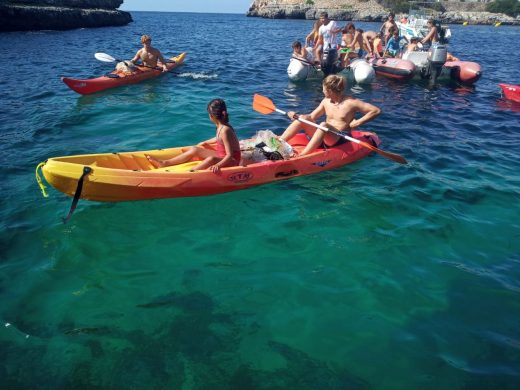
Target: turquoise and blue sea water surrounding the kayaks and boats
<point x="375" y="275"/>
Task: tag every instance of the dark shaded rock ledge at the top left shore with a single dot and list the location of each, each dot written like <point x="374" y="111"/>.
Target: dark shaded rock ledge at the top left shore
<point x="26" y="15"/>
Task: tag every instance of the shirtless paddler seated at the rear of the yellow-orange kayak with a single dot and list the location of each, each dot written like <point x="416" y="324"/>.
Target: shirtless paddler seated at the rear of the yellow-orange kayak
<point x="340" y="111"/>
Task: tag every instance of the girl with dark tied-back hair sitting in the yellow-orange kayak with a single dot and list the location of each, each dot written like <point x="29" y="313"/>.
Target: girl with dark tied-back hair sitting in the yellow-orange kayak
<point x="227" y="153"/>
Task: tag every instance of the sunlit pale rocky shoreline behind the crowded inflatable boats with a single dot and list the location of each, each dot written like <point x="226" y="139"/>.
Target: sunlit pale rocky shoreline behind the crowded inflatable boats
<point x="371" y="11"/>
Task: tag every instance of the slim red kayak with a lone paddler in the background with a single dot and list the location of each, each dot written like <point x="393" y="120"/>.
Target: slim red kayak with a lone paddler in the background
<point x="116" y="79"/>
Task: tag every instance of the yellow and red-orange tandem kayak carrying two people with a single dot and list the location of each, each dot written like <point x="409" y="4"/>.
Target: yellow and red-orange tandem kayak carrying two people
<point x="127" y="176"/>
